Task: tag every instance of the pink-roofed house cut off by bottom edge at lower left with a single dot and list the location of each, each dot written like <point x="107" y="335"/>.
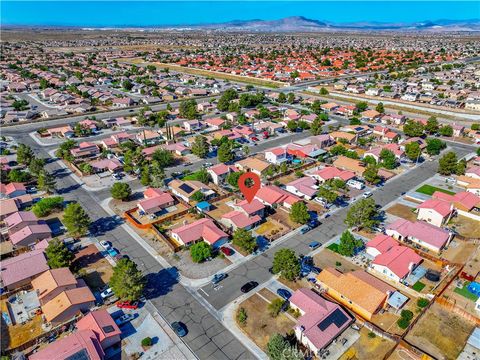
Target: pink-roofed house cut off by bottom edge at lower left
<point x="82" y="344"/>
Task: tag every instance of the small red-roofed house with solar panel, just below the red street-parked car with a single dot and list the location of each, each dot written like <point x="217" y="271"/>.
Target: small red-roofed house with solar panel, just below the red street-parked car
<point x="103" y="325"/>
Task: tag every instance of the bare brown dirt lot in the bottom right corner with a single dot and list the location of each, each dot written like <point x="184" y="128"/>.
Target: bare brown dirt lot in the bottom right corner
<point x="440" y="333"/>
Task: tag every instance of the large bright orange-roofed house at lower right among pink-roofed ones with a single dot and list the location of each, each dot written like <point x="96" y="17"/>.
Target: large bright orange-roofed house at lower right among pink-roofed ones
<point x="356" y="290"/>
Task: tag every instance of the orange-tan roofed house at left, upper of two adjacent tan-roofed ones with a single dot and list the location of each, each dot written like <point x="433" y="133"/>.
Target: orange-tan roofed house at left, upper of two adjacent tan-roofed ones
<point x="52" y="282"/>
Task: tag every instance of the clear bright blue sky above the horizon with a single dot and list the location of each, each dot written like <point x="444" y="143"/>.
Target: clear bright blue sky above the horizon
<point x="149" y="13"/>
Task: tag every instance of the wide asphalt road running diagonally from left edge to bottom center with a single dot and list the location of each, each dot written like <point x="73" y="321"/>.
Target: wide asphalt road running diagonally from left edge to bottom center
<point x="207" y="337"/>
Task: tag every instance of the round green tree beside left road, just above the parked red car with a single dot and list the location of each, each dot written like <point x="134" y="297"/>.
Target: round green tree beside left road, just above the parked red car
<point x="127" y="282"/>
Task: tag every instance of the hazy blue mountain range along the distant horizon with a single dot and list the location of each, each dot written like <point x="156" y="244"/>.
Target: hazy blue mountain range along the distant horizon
<point x="303" y="24"/>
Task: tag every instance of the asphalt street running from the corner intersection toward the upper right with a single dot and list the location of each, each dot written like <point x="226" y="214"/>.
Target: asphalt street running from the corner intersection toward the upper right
<point x="257" y="268"/>
